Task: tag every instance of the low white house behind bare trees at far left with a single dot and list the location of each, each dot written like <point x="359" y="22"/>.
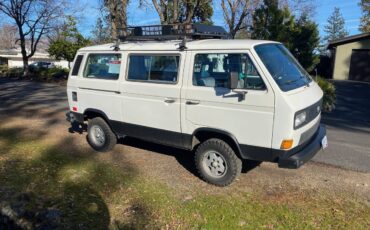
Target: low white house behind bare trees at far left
<point x="13" y="58"/>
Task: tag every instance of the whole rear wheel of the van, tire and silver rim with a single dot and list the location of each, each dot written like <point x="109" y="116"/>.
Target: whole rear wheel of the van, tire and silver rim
<point x="100" y="136"/>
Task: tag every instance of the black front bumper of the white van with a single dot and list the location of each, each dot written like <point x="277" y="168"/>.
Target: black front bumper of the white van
<point x="296" y="157"/>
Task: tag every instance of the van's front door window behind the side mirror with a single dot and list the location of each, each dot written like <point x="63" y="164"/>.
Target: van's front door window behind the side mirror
<point x="213" y="70"/>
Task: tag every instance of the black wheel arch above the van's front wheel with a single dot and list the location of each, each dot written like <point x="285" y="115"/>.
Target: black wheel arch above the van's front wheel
<point x="202" y="134"/>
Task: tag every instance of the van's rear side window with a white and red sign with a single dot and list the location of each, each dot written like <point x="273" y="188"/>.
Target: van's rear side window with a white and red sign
<point x="103" y="66"/>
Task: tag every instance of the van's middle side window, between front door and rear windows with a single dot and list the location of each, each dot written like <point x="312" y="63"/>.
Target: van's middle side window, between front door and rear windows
<point x="155" y="68"/>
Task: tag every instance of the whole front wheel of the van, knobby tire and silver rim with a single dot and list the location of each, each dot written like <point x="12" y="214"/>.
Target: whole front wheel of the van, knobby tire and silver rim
<point x="217" y="162"/>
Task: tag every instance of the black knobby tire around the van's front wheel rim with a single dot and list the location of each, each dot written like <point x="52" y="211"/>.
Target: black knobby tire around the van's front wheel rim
<point x="232" y="161"/>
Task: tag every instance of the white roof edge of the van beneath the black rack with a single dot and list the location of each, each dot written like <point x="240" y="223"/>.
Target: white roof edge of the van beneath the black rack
<point x="173" y="45"/>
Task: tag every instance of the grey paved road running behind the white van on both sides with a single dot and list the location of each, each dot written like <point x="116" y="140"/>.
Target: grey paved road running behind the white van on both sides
<point x="348" y="126"/>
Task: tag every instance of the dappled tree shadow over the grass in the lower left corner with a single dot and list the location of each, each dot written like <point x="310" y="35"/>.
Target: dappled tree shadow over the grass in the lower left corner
<point x="60" y="186"/>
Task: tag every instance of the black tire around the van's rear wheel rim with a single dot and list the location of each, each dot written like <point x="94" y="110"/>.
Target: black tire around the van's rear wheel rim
<point x="110" y="137"/>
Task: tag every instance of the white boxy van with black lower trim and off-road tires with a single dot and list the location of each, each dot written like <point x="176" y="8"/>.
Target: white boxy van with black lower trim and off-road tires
<point x="226" y="100"/>
